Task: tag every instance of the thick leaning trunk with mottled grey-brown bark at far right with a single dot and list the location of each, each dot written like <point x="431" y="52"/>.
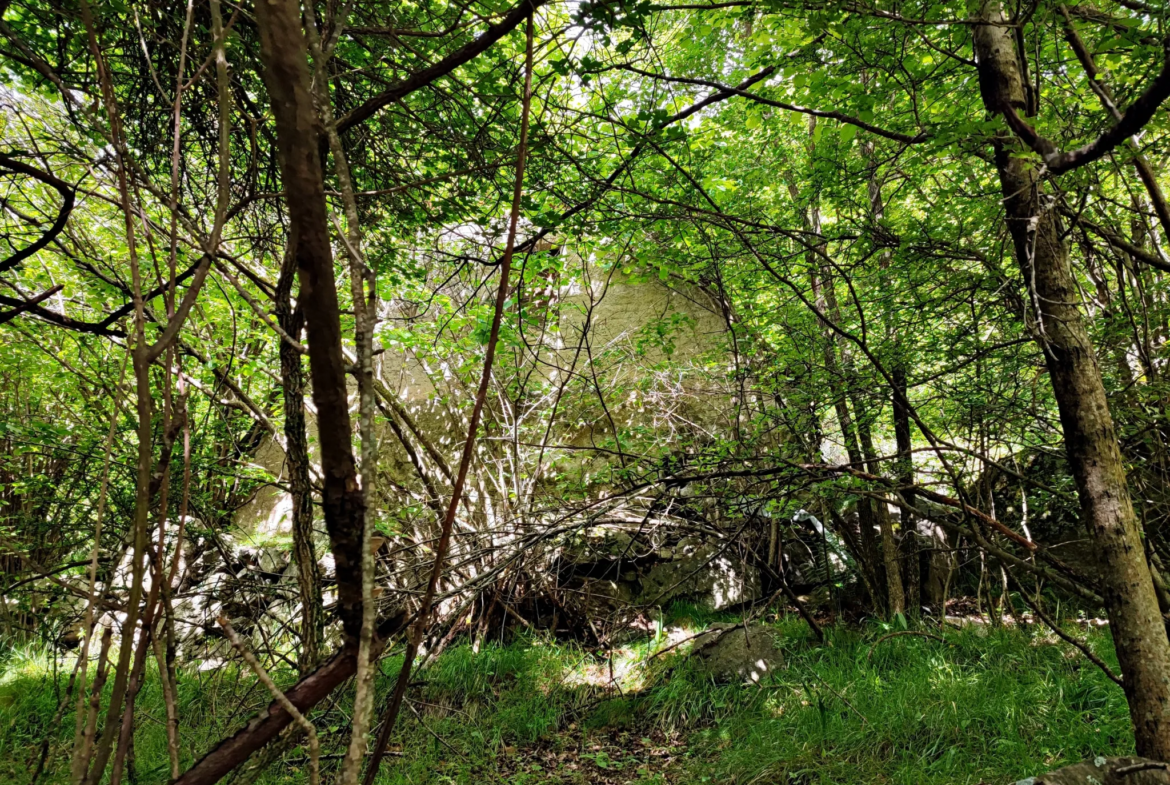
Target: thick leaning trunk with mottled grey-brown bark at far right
<point x="1095" y="456"/>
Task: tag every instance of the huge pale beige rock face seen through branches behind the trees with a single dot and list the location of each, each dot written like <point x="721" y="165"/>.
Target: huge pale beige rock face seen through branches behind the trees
<point x="645" y="333"/>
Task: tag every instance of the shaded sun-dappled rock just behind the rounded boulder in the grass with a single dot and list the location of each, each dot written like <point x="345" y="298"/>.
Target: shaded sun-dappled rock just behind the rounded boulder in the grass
<point x="700" y="573"/>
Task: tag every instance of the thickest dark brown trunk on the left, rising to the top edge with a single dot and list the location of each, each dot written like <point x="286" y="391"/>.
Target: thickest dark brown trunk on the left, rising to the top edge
<point x="284" y="51"/>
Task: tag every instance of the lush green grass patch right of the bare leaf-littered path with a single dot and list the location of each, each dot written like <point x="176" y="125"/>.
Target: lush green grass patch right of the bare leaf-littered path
<point x="993" y="708"/>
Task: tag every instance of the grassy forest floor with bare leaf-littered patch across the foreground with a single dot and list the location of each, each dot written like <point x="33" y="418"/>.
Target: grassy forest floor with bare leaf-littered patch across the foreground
<point x="989" y="706"/>
